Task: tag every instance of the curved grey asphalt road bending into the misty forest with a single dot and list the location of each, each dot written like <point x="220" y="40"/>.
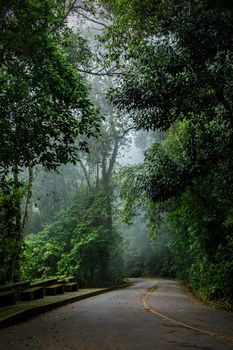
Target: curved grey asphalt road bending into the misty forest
<point x="162" y="318"/>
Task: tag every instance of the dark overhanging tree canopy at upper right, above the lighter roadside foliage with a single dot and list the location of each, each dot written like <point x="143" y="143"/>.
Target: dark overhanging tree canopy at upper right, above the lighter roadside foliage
<point x="178" y="57"/>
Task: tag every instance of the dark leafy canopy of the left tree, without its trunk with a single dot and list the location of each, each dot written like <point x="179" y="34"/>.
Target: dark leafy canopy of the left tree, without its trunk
<point x="44" y="103"/>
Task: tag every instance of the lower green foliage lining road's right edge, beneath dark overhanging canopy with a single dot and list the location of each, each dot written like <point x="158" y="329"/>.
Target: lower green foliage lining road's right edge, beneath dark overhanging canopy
<point x="191" y="231"/>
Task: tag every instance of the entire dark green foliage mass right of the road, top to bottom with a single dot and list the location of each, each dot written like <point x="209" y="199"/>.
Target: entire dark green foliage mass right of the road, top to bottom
<point x="179" y="79"/>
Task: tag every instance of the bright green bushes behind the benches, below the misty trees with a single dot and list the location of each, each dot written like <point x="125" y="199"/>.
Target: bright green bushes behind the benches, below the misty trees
<point x="78" y="243"/>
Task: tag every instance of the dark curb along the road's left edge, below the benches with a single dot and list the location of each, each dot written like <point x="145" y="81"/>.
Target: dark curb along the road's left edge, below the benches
<point x="26" y="314"/>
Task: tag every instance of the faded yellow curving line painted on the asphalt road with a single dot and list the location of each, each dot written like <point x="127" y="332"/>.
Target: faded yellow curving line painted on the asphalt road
<point x="181" y="324"/>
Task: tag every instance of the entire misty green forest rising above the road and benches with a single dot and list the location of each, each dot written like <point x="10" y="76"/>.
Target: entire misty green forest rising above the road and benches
<point x="151" y="77"/>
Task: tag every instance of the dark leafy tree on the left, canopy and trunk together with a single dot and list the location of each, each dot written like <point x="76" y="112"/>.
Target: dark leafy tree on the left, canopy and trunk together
<point x="45" y="112"/>
